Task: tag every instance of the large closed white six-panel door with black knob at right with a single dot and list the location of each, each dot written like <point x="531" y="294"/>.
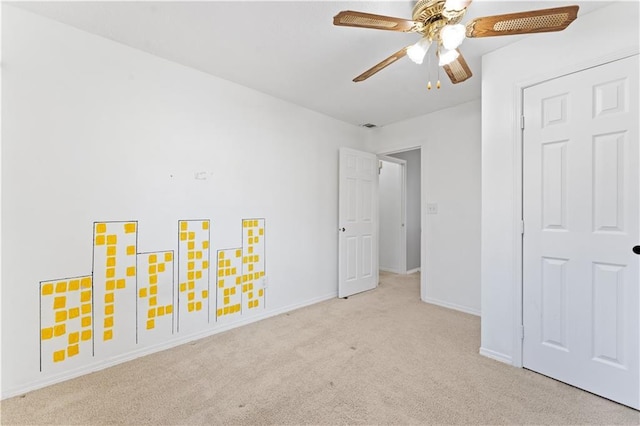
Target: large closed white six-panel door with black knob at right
<point x="581" y="222"/>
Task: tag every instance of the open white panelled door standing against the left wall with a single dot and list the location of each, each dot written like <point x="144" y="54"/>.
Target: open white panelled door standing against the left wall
<point x="358" y="222"/>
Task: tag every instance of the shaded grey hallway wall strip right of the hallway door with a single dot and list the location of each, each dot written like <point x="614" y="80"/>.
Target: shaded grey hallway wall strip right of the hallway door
<point x="413" y="212"/>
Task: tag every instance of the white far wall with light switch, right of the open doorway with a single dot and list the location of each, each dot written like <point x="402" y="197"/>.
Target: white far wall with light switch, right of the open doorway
<point x="450" y="146"/>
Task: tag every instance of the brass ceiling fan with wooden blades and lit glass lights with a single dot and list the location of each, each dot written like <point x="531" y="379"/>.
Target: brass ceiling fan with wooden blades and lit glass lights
<point x="438" y="21"/>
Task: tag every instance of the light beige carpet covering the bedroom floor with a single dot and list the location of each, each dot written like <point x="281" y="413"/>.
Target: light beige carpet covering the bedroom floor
<point x="381" y="357"/>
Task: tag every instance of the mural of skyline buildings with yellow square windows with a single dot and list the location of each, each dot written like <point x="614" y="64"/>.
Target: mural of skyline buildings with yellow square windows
<point x="143" y="298"/>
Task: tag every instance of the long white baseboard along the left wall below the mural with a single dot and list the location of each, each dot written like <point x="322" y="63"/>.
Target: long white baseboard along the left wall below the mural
<point x="148" y="350"/>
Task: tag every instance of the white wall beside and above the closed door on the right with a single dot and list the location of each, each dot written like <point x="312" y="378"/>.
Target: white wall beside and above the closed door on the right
<point x="594" y="38"/>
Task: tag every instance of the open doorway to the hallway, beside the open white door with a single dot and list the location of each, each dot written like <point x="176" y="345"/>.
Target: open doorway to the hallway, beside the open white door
<point x="400" y="214"/>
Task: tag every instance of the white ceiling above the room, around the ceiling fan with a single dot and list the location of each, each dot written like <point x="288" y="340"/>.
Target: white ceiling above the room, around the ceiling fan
<point x="291" y="50"/>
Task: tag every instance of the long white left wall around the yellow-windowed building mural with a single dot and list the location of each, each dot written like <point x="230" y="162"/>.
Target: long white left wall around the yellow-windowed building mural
<point x="94" y="130"/>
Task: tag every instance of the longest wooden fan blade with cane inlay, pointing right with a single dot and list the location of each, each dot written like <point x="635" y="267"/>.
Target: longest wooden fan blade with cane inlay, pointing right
<point x="533" y="21"/>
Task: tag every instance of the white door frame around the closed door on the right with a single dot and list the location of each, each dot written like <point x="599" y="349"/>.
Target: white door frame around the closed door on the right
<point x="518" y="135"/>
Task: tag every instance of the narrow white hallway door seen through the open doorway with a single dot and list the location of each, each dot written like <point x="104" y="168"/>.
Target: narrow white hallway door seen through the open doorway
<point x="391" y="193"/>
